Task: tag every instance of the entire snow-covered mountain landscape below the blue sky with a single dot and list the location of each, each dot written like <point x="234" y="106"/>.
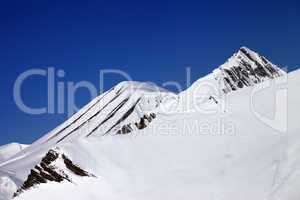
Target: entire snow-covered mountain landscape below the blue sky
<point x="139" y="141"/>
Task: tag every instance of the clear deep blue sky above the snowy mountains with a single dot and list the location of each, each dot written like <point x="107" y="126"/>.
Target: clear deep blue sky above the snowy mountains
<point x="151" y="40"/>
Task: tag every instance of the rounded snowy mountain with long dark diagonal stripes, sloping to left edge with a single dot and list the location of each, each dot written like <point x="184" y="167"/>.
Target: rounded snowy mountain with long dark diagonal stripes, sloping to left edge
<point x="129" y="106"/>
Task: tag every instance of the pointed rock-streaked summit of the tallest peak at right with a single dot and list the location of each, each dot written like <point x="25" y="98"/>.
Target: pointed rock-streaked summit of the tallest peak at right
<point x="245" y="68"/>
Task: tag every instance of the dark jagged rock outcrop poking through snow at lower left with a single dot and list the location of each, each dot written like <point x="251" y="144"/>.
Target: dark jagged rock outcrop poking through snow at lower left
<point x="47" y="170"/>
